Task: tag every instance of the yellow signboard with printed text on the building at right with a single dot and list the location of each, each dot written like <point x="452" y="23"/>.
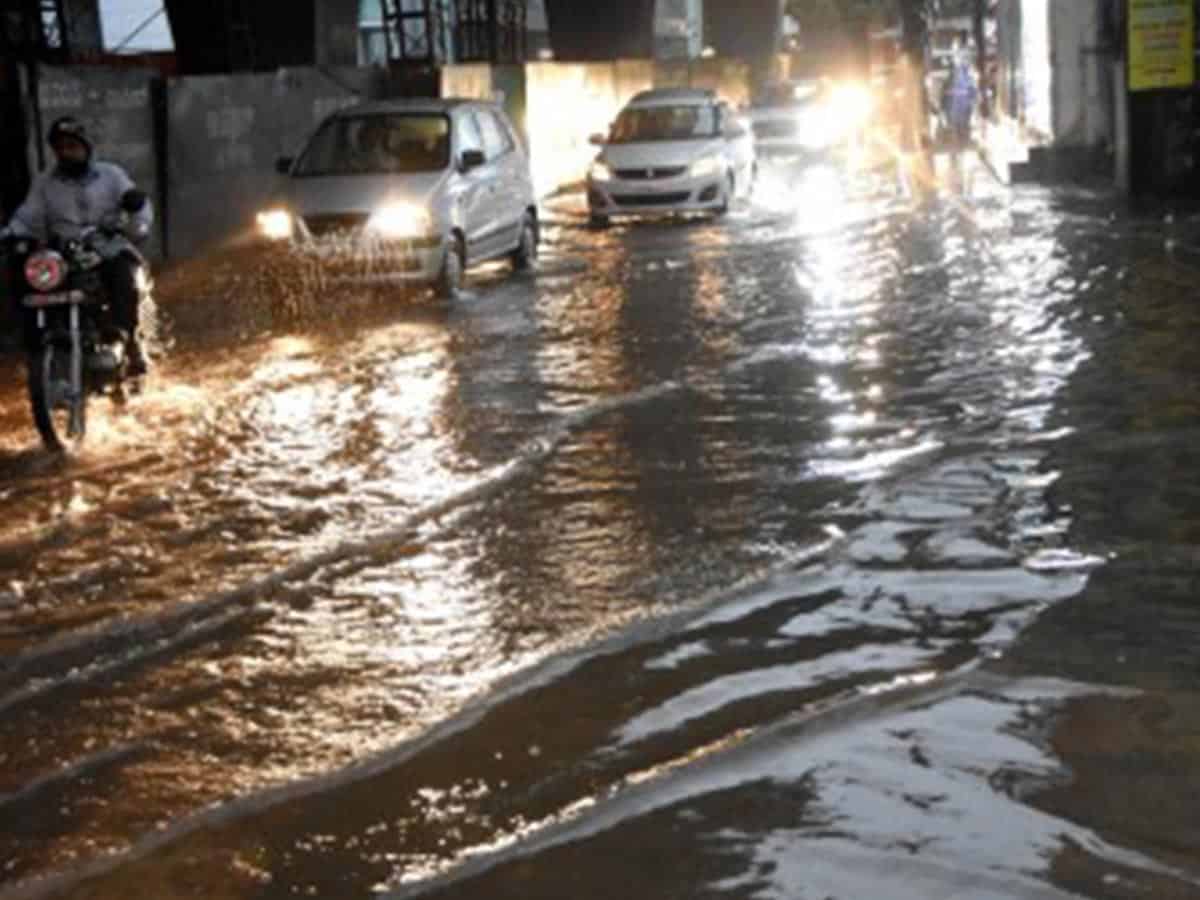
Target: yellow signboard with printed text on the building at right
<point x="1162" y="45"/>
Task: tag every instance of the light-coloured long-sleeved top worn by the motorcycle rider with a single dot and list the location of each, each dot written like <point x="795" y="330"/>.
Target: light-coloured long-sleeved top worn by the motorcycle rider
<point x="63" y="207"/>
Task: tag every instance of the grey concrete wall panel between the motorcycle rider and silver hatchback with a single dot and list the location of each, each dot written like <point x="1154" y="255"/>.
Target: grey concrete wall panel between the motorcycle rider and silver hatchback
<point x="225" y="134"/>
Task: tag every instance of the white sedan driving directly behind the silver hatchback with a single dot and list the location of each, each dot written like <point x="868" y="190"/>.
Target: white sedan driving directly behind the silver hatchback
<point x="674" y="151"/>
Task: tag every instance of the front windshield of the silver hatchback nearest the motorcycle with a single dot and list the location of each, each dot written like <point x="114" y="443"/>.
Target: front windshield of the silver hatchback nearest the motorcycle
<point x="379" y="146"/>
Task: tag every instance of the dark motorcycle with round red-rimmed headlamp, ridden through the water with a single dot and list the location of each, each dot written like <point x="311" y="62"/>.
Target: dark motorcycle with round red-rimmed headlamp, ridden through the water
<point x="80" y="353"/>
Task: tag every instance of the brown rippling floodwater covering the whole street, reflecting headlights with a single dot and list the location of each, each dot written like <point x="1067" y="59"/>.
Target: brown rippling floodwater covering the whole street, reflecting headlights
<point x="843" y="549"/>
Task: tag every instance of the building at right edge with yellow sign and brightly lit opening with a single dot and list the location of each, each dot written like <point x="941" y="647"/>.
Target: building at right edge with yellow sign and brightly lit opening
<point x="1106" y="86"/>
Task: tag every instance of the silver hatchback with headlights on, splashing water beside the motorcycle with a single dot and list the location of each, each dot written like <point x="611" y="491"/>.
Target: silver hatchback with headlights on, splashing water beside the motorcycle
<point x="410" y="190"/>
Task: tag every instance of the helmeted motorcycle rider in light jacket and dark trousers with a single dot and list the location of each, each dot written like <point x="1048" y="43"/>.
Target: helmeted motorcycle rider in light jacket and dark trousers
<point x="79" y="194"/>
